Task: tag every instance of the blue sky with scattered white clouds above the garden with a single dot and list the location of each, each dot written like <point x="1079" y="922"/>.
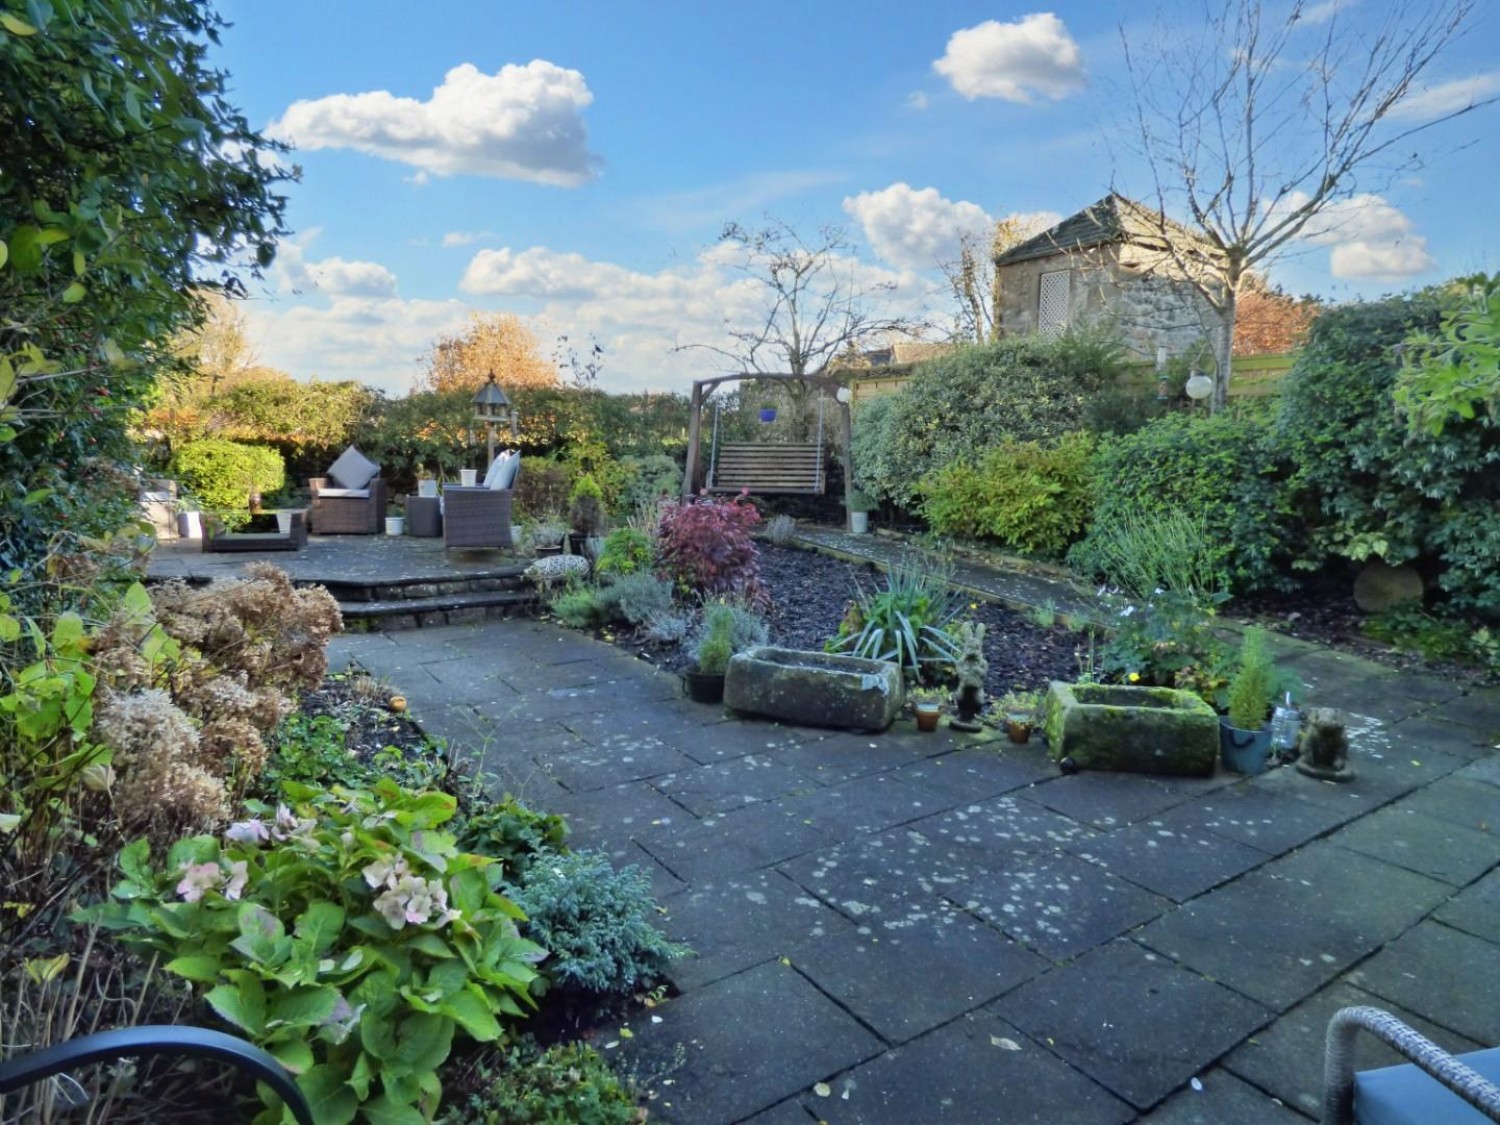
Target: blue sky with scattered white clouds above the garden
<point x="575" y="164"/>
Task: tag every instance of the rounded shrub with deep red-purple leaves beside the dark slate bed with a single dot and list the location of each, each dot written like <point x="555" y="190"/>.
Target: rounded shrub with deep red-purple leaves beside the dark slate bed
<point x="704" y="547"/>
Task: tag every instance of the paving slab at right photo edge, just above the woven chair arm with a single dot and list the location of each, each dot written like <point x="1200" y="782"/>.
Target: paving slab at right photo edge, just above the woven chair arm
<point x="1442" y="974"/>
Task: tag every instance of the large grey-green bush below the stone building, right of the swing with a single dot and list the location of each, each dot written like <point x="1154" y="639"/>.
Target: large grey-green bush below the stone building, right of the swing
<point x="1021" y="388"/>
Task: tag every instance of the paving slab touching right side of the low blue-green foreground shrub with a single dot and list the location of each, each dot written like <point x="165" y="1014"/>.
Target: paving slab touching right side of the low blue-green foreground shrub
<point x="743" y="922"/>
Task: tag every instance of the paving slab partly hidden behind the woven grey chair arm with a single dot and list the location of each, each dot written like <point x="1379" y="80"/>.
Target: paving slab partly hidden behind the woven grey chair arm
<point x="1286" y="1060"/>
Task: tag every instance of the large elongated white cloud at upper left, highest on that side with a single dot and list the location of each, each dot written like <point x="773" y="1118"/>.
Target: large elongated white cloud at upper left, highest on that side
<point x="520" y="124"/>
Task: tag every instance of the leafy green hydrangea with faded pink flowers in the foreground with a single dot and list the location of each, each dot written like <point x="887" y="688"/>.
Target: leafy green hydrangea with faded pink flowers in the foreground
<point x="346" y="935"/>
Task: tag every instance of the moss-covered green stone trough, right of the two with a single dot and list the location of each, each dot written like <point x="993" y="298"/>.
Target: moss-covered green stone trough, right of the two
<point x="1136" y="730"/>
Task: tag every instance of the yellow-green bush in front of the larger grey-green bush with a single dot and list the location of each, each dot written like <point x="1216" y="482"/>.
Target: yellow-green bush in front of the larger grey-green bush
<point x="1028" y="496"/>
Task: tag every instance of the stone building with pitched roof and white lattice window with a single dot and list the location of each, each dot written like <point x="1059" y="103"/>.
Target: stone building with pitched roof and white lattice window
<point x="1106" y="263"/>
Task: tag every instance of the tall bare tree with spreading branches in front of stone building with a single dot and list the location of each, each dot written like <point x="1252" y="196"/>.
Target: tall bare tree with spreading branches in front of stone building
<point x="1271" y="122"/>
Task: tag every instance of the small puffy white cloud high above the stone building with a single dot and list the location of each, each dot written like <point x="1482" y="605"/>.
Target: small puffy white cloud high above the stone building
<point x="1034" y="56"/>
